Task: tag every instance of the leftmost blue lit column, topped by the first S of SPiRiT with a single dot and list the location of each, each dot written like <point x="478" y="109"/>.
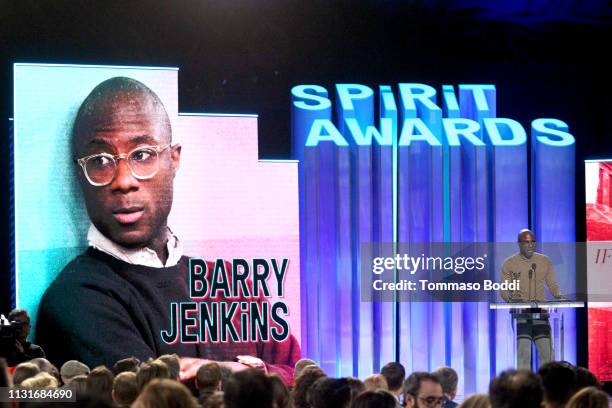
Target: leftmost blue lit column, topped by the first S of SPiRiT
<point x="317" y="184"/>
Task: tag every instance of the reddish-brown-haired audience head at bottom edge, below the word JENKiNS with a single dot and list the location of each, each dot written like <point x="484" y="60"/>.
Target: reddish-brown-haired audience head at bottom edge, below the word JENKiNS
<point x="165" y="393"/>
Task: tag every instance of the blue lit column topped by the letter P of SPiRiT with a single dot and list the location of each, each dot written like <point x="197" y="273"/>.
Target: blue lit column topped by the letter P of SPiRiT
<point x="355" y="113"/>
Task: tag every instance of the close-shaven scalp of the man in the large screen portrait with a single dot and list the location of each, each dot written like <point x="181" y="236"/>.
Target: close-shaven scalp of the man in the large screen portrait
<point x="103" y="106"/>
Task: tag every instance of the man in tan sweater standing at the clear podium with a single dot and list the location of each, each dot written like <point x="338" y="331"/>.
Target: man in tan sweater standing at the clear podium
<point x="532" y="270"/>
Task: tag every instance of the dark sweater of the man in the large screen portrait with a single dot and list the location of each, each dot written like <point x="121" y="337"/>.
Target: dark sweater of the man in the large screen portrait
<point x="101" y="309"/>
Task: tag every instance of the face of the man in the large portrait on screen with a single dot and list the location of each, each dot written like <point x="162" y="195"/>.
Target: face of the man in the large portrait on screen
<point x="130" y="210"/>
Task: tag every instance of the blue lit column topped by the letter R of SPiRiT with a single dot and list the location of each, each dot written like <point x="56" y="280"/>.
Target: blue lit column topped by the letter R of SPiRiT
<point x="420" y="216"/>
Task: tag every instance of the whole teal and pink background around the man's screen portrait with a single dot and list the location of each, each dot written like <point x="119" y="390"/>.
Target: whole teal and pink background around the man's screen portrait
<point x="227" y="203"/>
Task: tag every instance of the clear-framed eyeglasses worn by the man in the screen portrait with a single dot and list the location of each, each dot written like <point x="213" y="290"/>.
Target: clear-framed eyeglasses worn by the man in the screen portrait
<point x="100" y="169"/>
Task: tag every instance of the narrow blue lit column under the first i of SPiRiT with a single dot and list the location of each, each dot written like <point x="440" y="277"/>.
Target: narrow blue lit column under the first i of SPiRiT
<point x="385" y="195"/>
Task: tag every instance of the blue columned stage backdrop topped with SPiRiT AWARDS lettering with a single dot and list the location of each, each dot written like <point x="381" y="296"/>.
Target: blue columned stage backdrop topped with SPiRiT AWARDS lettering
<point x="358" y="185"/>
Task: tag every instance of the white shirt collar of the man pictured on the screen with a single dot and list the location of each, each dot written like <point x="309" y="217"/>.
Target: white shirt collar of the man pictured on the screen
<point x="139" y="256"/>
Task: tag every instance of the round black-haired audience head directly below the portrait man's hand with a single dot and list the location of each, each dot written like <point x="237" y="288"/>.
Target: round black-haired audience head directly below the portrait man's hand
<point x="249" y="388"/>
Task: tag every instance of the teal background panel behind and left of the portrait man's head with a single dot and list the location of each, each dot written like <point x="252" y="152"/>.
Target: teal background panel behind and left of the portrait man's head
<point x="50" y="219"/>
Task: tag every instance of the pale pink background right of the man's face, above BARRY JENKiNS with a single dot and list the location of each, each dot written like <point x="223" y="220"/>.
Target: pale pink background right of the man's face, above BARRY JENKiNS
<point x="229" y="204"/>
